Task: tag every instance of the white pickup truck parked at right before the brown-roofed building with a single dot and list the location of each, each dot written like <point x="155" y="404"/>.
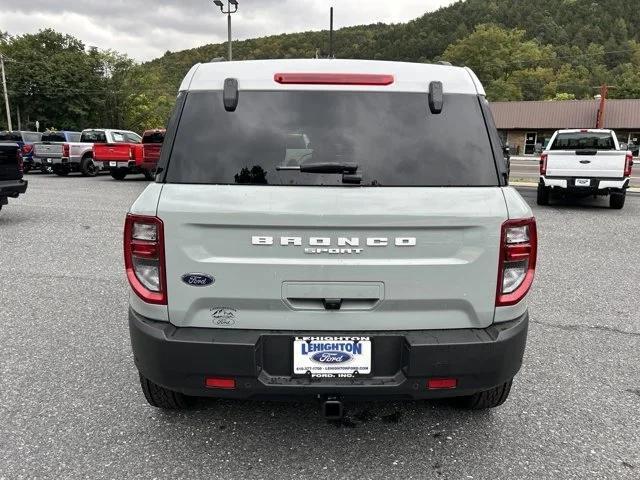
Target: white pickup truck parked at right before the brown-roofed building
<point x="585" y="162"/>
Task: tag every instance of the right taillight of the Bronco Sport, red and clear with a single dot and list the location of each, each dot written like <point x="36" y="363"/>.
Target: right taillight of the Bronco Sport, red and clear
<point x="518" y="253"/>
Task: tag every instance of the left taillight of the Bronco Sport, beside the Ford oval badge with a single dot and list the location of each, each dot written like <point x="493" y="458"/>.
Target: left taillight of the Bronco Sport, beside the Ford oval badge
<point x="144" y="258"/>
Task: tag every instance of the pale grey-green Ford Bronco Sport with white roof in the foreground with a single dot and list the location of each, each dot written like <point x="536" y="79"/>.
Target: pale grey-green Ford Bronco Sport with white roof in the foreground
<point x="391" y="261"/>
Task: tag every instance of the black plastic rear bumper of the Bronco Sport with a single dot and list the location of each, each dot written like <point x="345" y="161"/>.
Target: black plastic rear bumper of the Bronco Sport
<point x="261" y="361"/>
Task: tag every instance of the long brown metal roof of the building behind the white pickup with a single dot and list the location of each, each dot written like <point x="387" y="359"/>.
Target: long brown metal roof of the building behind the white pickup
<point x="553" y="115"/>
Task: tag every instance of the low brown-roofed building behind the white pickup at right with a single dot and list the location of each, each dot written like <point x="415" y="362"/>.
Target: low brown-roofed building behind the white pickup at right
<point x="528" y="126"/>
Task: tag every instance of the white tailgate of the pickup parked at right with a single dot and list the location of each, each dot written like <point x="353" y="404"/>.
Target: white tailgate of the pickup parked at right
<point x="578" y="163"/>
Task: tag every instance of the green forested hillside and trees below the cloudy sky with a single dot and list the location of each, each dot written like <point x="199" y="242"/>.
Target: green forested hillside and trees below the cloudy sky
<point x="521" y="49"/>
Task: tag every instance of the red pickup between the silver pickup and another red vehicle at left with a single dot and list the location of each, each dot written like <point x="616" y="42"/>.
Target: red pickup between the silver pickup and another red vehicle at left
<point x="121" y="154"/>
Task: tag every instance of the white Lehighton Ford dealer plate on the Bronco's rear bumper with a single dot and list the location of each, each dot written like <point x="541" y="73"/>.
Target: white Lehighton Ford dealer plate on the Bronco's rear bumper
<point x="332" y="356"/>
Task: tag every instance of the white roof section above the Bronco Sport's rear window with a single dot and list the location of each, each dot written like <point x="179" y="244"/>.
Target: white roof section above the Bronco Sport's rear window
<point x="258" y="75"/>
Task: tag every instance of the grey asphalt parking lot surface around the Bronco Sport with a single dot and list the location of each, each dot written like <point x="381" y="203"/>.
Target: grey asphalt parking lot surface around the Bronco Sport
<point x="71" y="406"/>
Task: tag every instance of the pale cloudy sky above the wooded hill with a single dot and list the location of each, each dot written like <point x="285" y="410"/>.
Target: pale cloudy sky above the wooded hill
<point x="145" y="29"/>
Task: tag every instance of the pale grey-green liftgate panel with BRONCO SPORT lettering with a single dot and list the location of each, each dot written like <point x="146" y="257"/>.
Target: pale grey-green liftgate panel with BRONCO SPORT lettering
<point x="398" y="259"/>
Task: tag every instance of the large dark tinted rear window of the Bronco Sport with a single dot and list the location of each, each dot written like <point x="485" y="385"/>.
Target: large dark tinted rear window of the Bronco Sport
<point x="392" y="137"/>
